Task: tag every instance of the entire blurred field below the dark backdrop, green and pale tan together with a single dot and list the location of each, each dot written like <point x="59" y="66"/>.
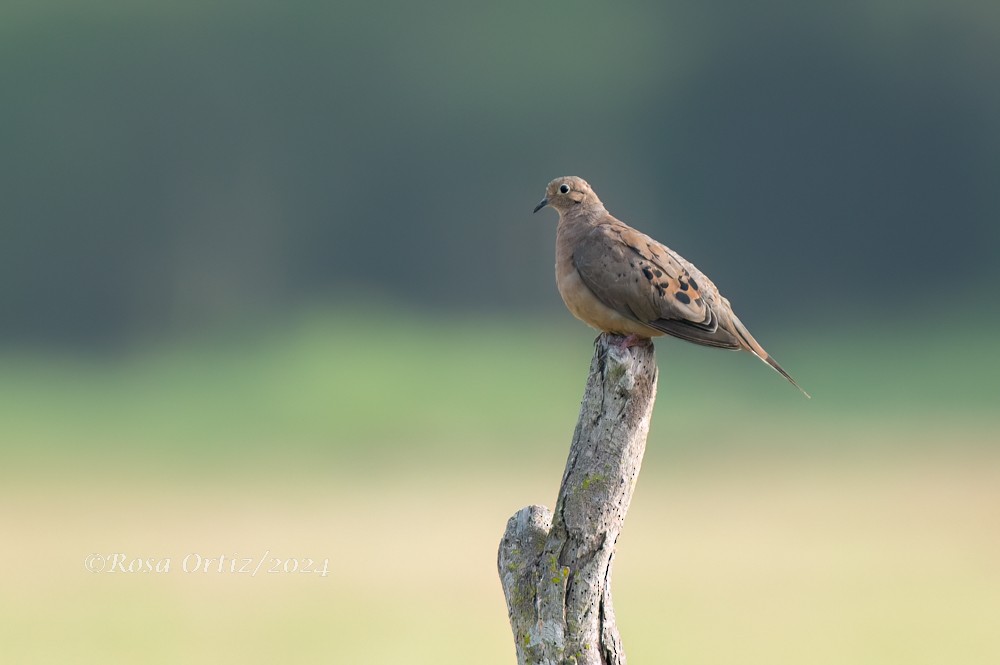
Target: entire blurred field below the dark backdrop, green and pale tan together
<point x="858" y="527"/>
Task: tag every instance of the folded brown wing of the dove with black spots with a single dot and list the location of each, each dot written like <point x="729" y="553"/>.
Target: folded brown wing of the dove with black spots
<point x="644" y="280"/>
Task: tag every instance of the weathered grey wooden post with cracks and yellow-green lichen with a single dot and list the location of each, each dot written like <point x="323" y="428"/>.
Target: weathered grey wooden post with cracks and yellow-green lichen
<point x="555" y="568"/>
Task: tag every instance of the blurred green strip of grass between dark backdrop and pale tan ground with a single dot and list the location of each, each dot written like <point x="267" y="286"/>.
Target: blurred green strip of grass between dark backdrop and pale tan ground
<point x="344" y="387"/>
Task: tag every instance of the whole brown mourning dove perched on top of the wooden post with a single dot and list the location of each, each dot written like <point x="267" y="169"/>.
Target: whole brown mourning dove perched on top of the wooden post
<point x="619" y="280"/>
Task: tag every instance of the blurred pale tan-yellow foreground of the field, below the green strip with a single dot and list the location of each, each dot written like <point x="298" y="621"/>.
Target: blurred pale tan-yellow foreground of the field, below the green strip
<point x="762" y="561"/>
